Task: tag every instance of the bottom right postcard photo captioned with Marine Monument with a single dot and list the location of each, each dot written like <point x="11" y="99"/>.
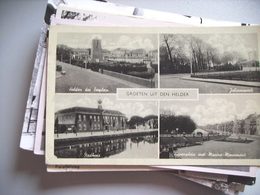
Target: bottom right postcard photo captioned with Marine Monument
<point x="214" y="127"/>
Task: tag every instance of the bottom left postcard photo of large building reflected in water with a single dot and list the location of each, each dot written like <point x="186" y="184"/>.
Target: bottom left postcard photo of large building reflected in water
<point x="100" y="126"/>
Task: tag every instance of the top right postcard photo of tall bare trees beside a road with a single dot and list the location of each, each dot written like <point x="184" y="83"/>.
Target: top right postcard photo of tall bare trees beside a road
<point x="212" y="61"/>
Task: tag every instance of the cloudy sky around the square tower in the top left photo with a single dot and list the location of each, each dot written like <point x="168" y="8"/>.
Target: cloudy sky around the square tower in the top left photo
<point x="109" y="41"/>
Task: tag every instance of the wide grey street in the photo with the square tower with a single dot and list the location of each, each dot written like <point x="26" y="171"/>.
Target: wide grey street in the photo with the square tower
<point x="82" y="80"/>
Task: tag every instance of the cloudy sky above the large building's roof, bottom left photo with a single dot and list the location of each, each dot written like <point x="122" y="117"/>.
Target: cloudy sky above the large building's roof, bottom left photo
<point x="129" y="108"/>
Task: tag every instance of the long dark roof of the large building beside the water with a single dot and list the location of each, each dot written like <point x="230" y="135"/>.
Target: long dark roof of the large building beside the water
<point x="90" y="110"/>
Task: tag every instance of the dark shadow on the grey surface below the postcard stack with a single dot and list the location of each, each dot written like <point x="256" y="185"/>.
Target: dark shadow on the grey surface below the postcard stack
<point x="34" y="166"/>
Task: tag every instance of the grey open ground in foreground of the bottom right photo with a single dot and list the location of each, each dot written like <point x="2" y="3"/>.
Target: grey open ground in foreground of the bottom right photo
<point x="213" y="149"/>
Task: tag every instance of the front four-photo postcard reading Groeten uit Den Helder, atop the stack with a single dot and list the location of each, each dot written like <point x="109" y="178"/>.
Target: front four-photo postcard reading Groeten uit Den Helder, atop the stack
<point x="107" y="103"/>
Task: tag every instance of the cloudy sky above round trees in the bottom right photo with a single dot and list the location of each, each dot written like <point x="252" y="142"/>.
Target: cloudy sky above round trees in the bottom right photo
<point x="212" y="109"/>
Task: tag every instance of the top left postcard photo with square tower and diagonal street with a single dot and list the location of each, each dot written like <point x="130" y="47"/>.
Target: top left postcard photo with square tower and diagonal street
<point x="96" y="62"/>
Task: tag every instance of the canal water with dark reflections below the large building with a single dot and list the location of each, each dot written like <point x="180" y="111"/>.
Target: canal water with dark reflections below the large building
<point x="135" y="147"/>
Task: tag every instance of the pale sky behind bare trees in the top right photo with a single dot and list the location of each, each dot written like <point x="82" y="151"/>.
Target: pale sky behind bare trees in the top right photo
<point x="241" y="43"/>
